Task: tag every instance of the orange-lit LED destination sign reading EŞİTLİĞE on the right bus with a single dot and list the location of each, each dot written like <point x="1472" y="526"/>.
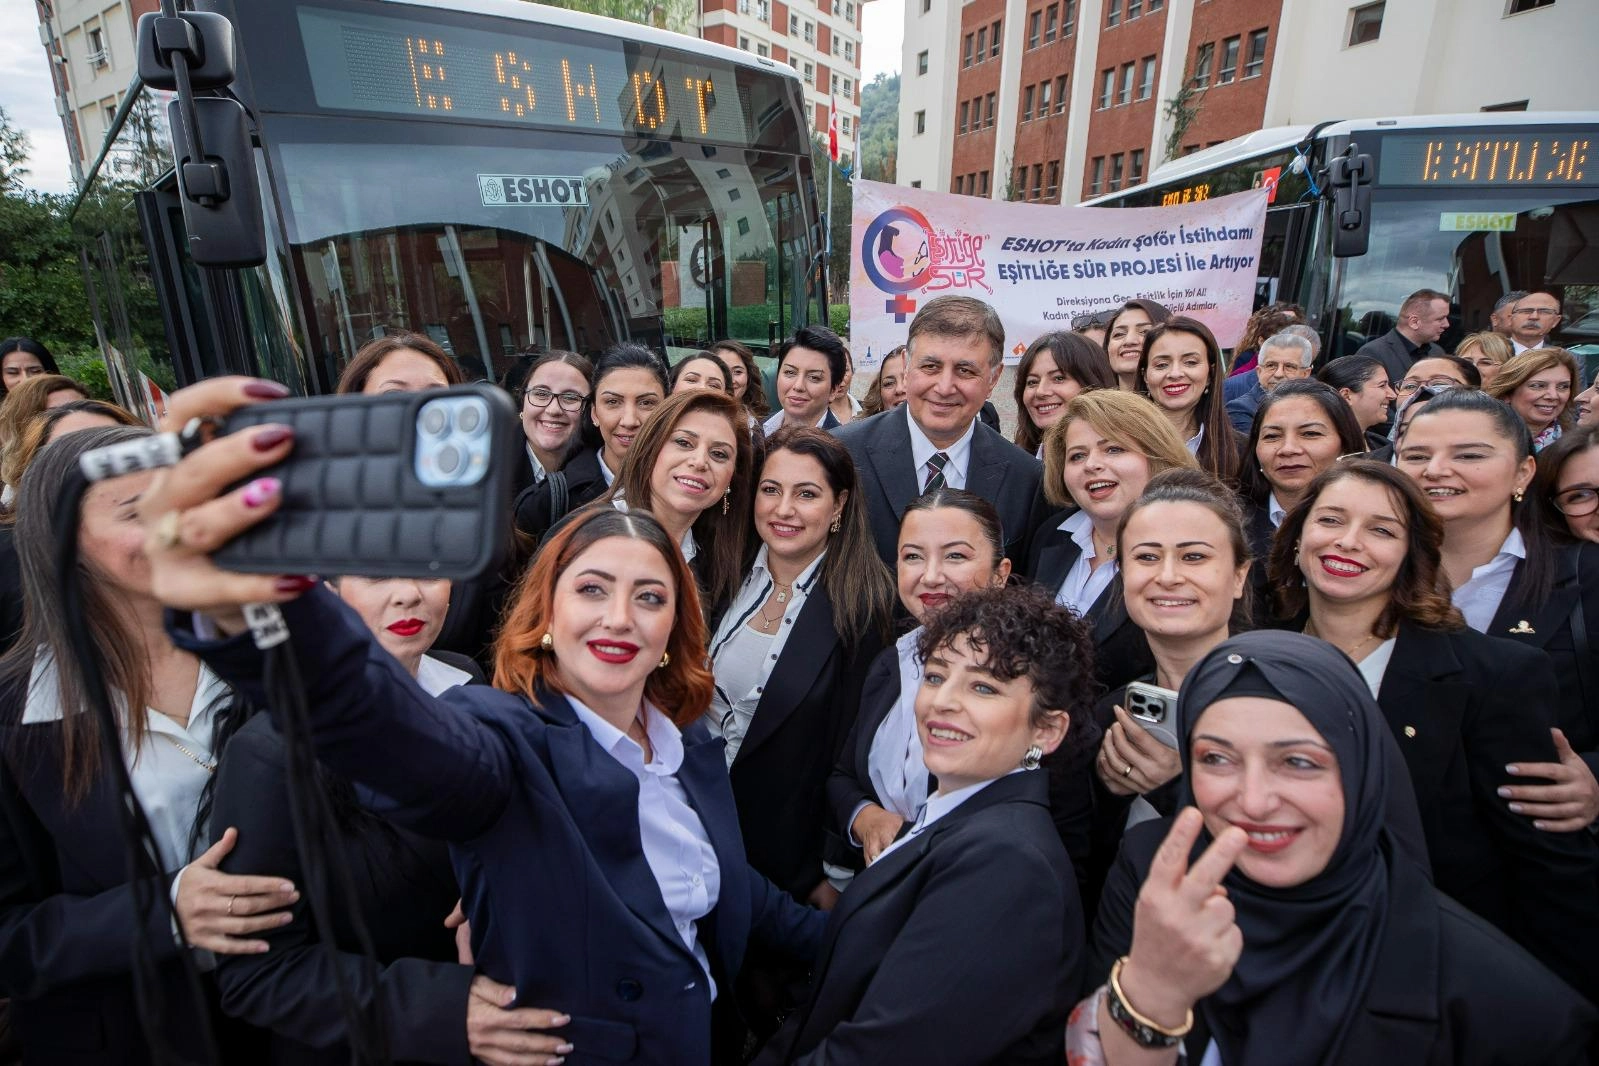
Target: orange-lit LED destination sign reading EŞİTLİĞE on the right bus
<point x="1478" y="161"/>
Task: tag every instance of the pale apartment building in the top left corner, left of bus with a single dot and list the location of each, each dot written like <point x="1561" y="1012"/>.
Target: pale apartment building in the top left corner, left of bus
<point x="90" y="47"/>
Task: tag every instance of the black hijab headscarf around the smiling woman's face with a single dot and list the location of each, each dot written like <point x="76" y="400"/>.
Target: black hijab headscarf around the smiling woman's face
<point x="1310" y="950"/>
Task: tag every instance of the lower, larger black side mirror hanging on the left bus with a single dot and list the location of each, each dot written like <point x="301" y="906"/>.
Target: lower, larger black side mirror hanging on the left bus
<point x="218" y="191"/>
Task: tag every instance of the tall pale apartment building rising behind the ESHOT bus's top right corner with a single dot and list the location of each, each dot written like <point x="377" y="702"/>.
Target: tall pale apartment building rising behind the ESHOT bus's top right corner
<point x="821" y="41"/>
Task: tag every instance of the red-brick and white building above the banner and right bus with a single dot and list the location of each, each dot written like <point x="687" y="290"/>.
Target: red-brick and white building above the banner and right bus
<point x="1058" y="101"/>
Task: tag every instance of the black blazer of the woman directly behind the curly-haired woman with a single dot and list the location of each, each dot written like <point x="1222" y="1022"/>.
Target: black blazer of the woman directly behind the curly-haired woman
<point x="850" y="786"/>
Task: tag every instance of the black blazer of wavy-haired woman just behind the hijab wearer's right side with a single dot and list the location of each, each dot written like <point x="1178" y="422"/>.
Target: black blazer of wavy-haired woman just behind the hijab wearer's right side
<point x="1461" y="707"/>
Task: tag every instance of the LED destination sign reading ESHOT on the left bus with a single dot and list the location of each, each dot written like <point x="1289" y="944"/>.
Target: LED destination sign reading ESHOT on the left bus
<point x="373" y="63"/>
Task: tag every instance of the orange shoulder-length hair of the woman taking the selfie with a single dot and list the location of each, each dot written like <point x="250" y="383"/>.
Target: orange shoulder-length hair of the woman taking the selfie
<point x="682" y="690"/>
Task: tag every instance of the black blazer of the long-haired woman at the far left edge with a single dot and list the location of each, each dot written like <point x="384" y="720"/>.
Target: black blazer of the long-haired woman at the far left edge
<point x="68" y="917"/>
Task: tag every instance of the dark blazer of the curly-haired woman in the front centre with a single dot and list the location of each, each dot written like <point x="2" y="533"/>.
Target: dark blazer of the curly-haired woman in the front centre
<point x="965" y="945"/>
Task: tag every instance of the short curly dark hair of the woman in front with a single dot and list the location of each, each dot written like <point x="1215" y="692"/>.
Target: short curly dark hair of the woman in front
<point x="1024" y="634"/>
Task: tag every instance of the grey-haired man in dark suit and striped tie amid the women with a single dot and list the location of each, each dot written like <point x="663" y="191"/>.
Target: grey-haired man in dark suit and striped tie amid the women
<point x="936" y="439"/>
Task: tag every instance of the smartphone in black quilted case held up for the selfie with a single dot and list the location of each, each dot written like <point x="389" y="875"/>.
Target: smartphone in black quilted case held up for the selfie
<point x="399" y="485"/>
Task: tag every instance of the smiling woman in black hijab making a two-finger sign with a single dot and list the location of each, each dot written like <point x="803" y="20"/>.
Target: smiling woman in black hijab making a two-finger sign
<point x="1288" y="920"/>
